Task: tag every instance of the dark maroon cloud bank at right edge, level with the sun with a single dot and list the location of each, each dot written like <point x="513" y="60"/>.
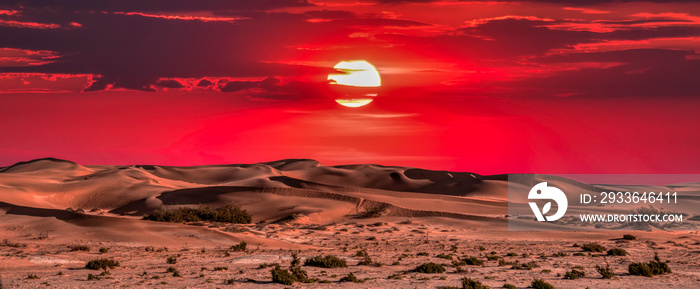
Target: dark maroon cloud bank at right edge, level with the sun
<point x="642" y="72"/>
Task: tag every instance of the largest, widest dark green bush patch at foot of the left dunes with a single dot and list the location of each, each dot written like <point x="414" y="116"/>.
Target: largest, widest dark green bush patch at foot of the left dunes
<point x="226" y="214"/>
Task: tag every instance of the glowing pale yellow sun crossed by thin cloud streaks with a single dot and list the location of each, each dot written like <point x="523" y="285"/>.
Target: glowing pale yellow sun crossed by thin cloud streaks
<point x="359" y="75"/>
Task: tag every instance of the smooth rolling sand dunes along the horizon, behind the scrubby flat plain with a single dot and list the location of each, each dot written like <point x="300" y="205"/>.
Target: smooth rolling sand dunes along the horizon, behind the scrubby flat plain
<point x="117" y="196"/>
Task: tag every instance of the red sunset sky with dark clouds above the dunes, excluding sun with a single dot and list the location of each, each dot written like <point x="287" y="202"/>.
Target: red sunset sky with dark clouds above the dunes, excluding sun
<point x="488" y="87"/>
